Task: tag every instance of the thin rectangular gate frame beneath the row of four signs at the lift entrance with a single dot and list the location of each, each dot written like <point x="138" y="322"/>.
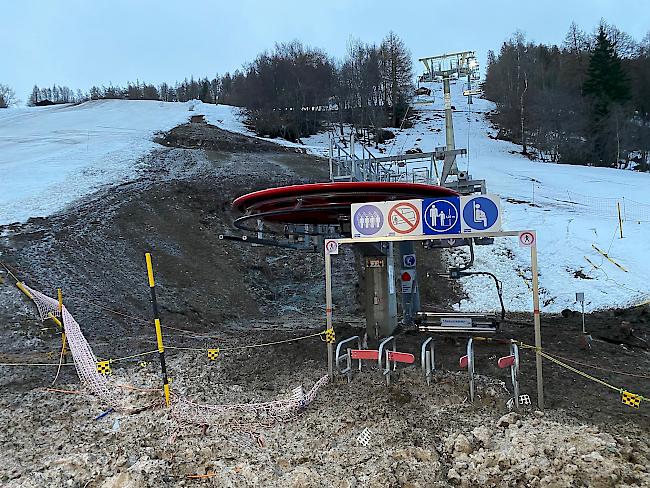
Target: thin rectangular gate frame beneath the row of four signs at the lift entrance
<point x="535" y="291"/>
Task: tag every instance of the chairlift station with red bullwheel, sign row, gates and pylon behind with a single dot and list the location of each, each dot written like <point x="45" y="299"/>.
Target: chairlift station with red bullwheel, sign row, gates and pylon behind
<point x="384" y="207"/>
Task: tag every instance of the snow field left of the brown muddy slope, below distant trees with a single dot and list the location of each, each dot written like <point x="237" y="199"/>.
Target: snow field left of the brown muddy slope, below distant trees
<point x="51" y="156"/>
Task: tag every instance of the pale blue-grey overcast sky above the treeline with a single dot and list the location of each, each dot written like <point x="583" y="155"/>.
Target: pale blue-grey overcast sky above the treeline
<point x="81" y="43"/>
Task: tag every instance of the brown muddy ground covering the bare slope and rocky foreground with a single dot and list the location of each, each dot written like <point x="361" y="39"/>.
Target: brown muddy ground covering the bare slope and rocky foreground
<point x="216" y="293"/>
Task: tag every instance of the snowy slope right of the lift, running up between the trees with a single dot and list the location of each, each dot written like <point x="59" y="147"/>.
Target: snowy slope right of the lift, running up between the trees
<point x="572" y="208"/>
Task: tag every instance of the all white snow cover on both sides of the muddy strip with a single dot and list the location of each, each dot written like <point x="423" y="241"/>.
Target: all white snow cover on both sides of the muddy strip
<point x="51" y="156"/>
